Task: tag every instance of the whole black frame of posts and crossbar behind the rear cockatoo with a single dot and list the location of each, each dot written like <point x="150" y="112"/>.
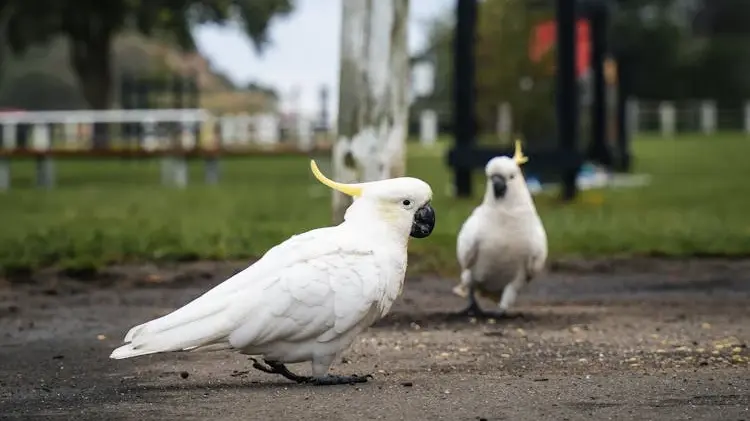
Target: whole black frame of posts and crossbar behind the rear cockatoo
<point x="566" y="160"/>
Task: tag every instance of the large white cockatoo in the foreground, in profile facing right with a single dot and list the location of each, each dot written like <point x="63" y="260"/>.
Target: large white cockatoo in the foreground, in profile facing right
<point x="307" y="298"/>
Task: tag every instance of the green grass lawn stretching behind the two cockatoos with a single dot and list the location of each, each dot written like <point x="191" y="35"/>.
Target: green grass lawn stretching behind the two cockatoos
<point x="115" y="211"/>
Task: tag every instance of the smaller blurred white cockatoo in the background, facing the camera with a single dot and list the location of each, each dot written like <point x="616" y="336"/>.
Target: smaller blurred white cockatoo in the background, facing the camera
<point x="502" y="245"/>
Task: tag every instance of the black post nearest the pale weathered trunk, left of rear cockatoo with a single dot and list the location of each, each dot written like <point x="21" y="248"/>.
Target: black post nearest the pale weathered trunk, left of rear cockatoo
<point x="464" y="127"/>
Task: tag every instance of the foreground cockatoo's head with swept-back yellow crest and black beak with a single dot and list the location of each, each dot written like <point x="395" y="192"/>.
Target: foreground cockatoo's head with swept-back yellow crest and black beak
<point x="402" y="202"/>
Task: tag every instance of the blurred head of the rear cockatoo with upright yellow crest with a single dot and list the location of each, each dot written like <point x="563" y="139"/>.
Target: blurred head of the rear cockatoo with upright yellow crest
<point x="504" y="176"/>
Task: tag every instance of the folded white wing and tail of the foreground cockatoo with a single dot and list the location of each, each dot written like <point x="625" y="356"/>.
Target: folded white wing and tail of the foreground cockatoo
<point x="314" y="284"/>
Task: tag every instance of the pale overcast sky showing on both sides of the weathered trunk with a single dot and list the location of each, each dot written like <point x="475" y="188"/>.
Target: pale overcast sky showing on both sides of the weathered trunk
<point x="304" y="50"/>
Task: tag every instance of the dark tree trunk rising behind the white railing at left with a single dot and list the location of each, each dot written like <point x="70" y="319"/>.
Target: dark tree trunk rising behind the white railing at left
<point x="91" y="60"/>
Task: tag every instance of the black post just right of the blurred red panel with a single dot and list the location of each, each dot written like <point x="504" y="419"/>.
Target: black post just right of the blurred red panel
<point x="599" y="149"/>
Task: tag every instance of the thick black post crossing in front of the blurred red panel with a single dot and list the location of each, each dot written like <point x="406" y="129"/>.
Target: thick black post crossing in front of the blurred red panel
<point x="567" y="92"/>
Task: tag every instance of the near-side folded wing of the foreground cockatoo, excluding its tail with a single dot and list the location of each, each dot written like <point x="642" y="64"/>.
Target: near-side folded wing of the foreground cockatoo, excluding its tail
<point x="315" y="300"/>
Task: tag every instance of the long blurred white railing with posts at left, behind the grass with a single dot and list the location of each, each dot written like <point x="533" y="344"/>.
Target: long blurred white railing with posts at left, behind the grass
<point x="185" y="129"/>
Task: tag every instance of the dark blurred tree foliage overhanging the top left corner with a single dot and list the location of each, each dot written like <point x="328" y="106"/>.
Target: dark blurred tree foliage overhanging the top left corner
<point x="89" y="27"/>
